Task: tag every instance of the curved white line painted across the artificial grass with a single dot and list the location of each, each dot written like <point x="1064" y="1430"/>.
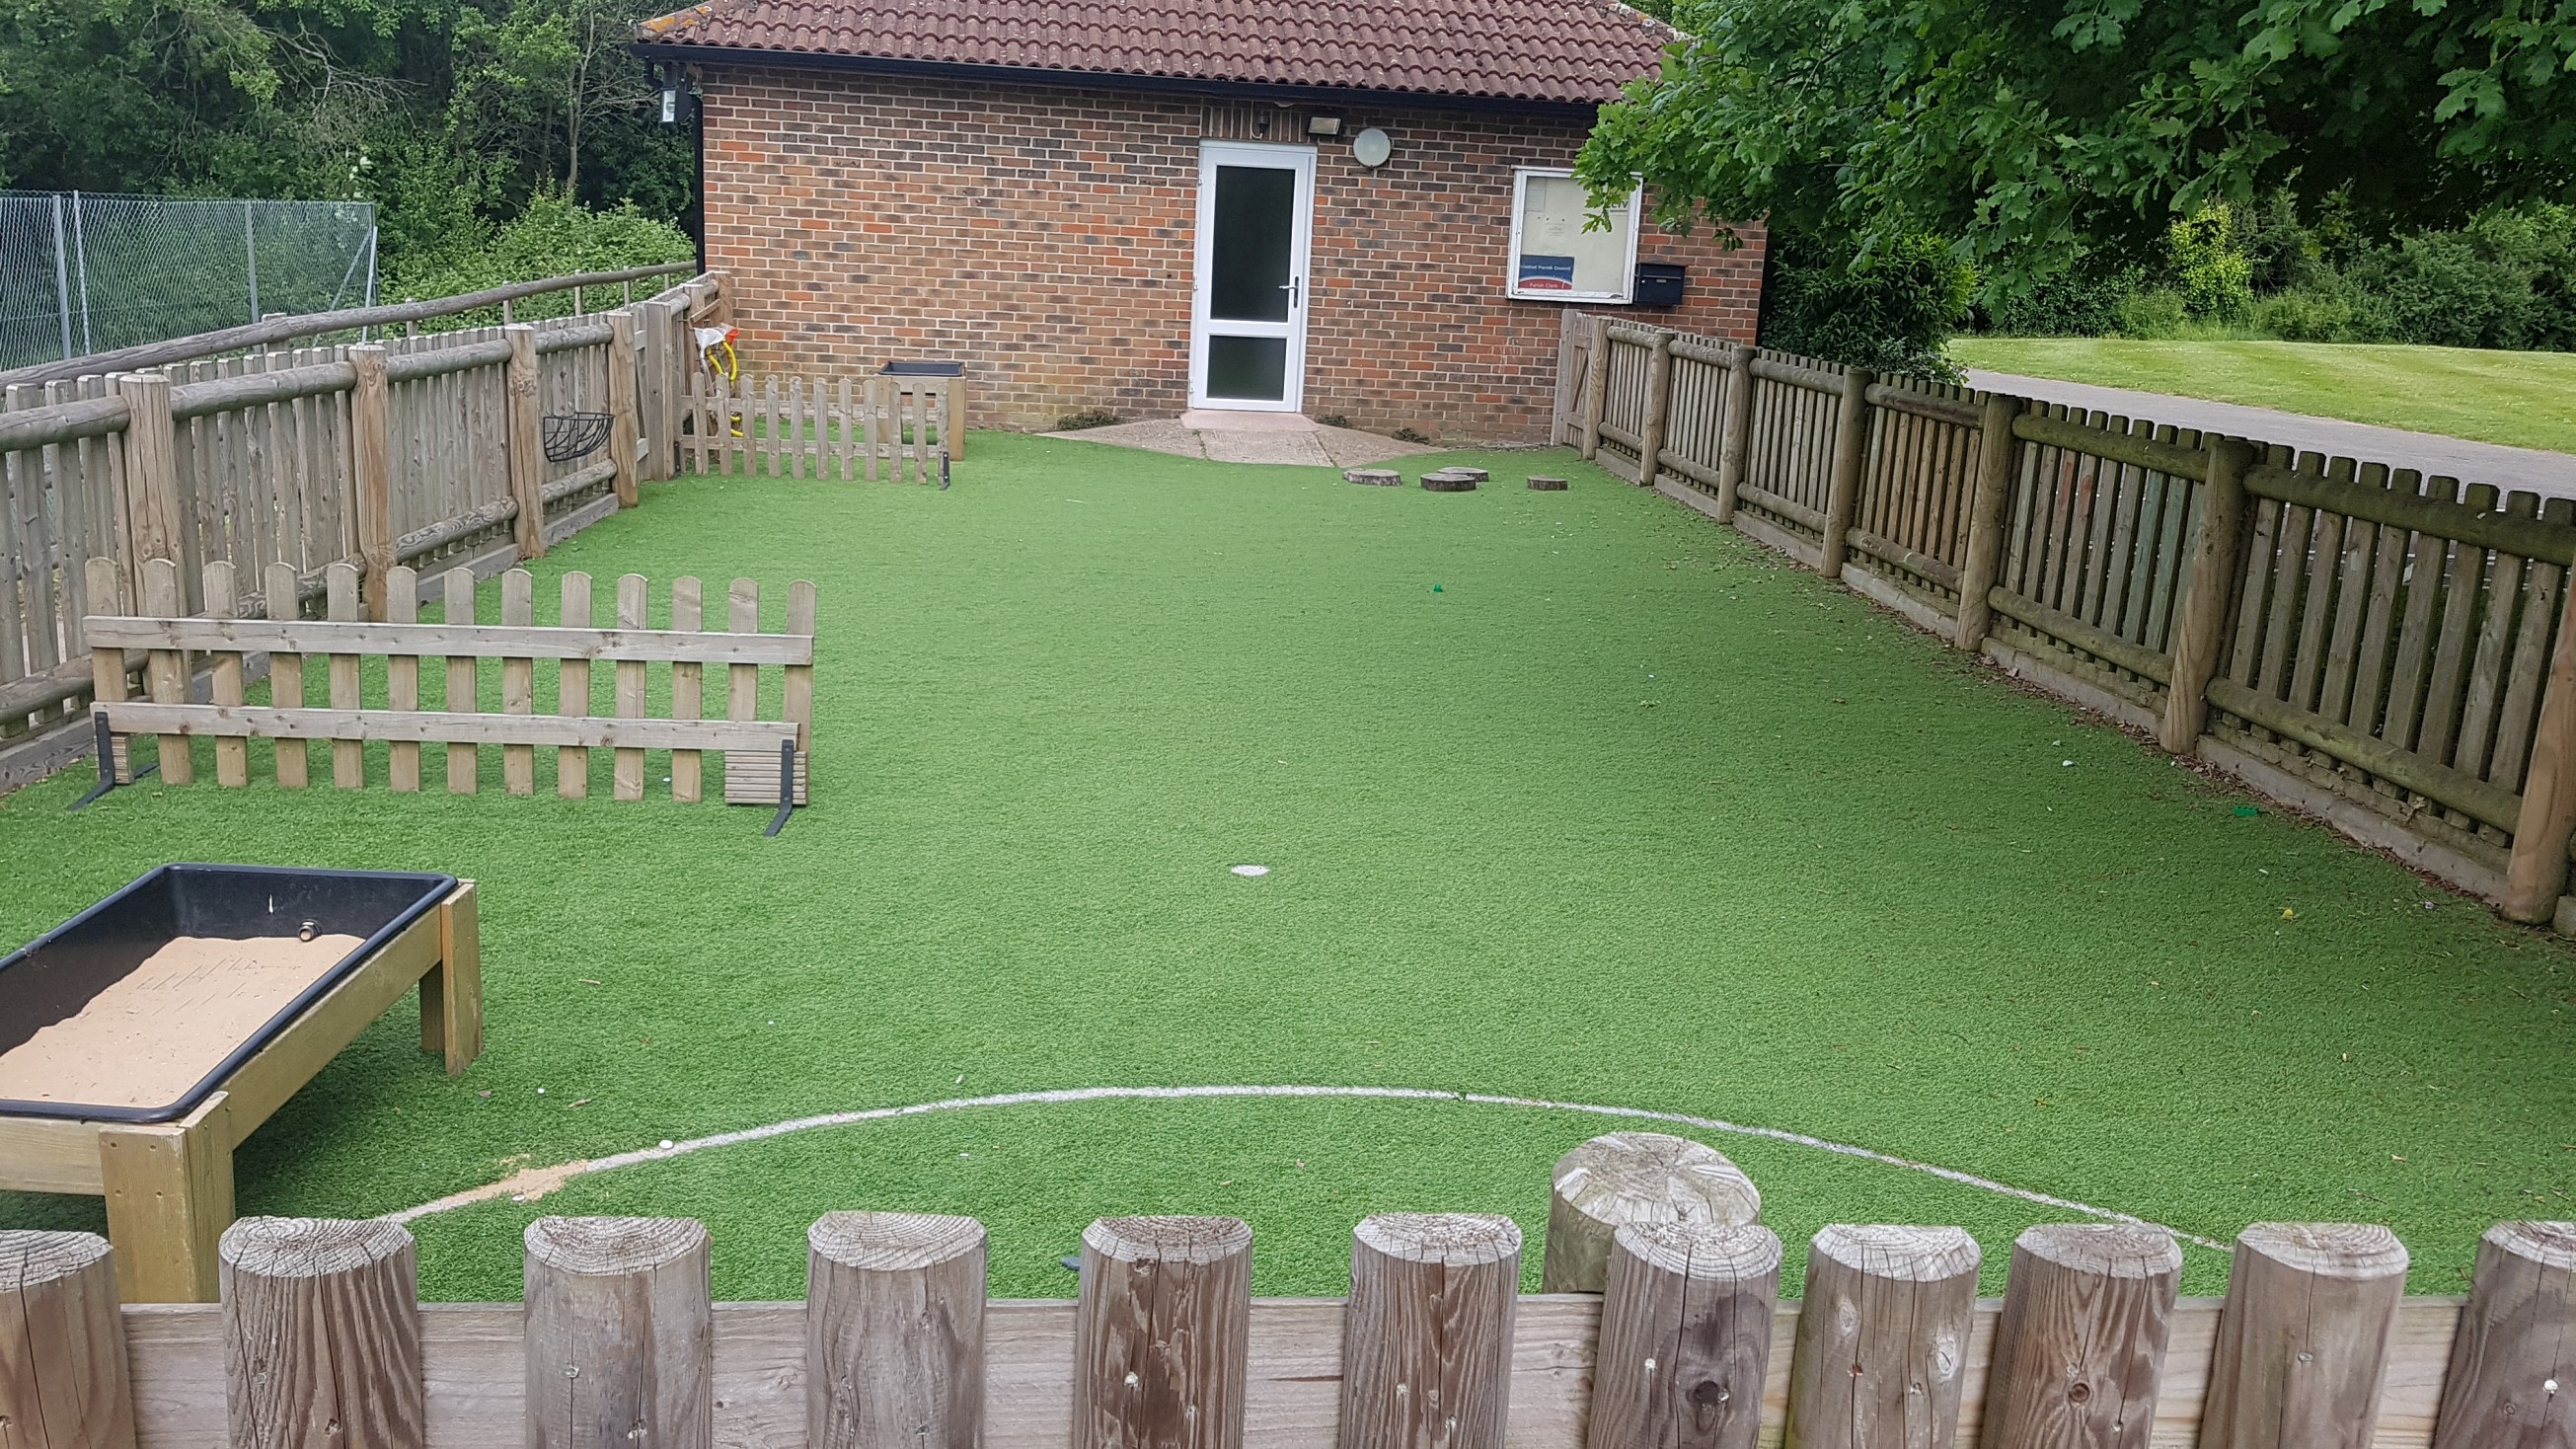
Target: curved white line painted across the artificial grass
<point x="537" y="1182"/>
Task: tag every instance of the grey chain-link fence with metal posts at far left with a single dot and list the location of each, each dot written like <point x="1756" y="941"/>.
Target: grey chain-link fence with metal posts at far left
<point x="86" y="275"/>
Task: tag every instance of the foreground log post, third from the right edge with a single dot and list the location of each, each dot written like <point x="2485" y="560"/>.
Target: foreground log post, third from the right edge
<point x="2080" y="1347"/>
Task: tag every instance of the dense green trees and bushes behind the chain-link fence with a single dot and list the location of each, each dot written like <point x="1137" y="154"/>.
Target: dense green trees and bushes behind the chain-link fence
<point x="480" y="130"/>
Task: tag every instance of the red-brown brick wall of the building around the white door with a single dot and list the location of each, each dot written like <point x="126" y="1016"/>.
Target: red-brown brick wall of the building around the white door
<point x="1047" y="238"/>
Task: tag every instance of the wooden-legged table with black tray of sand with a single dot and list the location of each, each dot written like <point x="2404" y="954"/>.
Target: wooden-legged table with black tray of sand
<point x="156" y="1030"/>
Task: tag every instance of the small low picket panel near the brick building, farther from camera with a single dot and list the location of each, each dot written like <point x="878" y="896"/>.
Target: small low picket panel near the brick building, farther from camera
<point x="905" y="429"/>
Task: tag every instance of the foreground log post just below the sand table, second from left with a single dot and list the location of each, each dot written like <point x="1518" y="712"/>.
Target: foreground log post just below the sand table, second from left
<point x="323" y="1334"/>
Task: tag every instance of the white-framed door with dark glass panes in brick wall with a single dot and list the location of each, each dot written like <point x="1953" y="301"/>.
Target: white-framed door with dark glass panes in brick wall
<point x="1248" y="308"/>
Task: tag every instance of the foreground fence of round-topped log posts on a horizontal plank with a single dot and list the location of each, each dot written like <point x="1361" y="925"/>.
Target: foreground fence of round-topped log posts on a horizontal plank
<point x="1678" y="1339"/>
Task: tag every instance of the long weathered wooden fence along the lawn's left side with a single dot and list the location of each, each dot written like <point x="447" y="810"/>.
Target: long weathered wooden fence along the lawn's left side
<point x="429" y="452"/>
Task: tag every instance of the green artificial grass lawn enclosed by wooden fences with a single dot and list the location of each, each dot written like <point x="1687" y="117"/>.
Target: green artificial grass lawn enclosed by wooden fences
<point x="1567" y="795"/>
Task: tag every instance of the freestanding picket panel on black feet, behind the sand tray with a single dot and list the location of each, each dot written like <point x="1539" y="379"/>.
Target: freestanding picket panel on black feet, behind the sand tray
<point x="344" y="638"/>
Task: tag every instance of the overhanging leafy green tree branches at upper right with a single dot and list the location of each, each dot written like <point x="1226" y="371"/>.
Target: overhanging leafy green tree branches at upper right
<point x="2034" y="133"/>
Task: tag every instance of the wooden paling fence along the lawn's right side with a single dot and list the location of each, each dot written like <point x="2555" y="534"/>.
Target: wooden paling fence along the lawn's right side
<point x="2353" y="638"/>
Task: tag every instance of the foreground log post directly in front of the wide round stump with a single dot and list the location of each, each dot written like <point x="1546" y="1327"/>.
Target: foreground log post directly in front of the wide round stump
<point x="1686" y="1337"/>
